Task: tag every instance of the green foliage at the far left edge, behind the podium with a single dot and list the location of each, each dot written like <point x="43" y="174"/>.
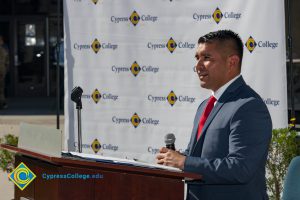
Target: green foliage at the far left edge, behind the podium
<point x="7" y="159"/>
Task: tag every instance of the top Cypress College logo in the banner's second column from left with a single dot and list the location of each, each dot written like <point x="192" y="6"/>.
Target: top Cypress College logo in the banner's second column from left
<point x="134" y="18"/>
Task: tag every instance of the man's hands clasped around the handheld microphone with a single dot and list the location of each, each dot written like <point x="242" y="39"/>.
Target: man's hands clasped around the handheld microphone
<point x="170" y="158"/>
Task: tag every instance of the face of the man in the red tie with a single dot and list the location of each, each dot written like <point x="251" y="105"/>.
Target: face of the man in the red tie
<point x="211" y="66"/>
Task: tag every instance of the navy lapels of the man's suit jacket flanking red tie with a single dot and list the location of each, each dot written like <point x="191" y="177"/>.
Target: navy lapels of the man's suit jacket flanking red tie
<point x="229" y="92"/>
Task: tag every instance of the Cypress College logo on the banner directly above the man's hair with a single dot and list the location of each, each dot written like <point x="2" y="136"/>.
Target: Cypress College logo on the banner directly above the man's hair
<point x="217" y="16"/>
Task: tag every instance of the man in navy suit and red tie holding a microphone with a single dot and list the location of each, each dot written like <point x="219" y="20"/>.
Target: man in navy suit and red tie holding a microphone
<point x="232" y="129"/>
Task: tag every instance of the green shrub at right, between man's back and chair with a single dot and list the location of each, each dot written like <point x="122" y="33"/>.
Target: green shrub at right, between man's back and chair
<point x="283" y="148"/>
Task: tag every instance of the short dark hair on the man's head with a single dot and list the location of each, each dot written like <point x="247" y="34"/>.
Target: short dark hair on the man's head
<point x="222" y="36"/>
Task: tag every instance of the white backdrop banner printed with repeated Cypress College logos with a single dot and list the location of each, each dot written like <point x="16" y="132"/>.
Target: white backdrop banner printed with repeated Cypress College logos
<point x="134" y="61"/>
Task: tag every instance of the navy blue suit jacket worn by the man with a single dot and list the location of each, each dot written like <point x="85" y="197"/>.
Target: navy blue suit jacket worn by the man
<point x="232" y="150"/>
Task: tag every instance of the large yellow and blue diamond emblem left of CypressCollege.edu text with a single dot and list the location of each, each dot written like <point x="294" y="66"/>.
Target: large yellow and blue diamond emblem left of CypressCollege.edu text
<point x="22" y="176"/>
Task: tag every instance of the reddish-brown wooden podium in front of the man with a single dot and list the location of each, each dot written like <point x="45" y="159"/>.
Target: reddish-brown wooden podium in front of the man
<point x="118" y="182"/>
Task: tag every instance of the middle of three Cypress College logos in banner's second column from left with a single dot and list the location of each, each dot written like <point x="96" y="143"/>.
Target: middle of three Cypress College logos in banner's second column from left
<point x="135" y="69"/>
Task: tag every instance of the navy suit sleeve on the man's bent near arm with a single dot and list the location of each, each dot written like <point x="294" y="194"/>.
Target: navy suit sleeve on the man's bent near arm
<point x="249" y="137"/>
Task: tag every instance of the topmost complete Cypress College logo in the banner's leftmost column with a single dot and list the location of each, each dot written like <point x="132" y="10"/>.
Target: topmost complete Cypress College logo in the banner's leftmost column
<point x="95" y="46"/>
